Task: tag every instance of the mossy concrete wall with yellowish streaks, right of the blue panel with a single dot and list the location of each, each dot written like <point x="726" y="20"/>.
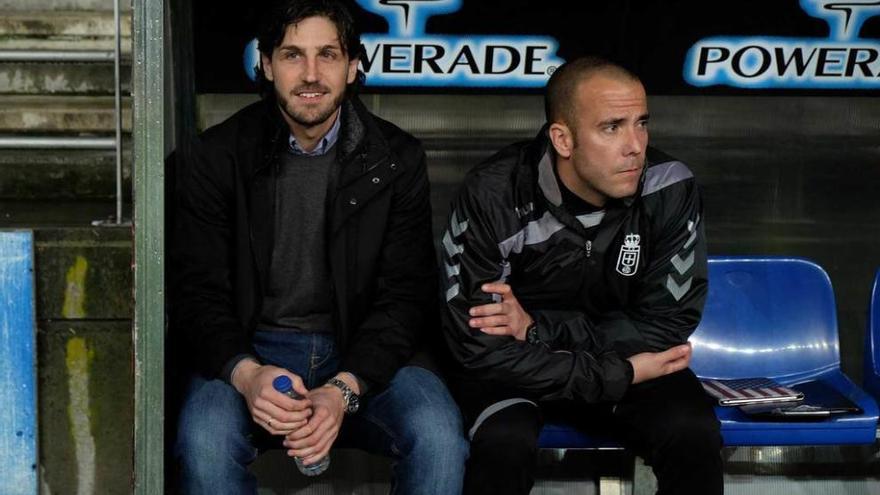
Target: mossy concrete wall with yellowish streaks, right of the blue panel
<point x="85" y="380"/>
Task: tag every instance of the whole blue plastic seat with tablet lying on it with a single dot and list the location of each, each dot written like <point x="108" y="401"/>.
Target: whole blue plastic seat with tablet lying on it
<point x="776" y="317"/>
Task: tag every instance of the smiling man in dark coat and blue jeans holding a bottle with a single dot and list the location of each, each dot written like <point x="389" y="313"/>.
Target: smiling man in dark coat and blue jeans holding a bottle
<point x="302" y="248"/>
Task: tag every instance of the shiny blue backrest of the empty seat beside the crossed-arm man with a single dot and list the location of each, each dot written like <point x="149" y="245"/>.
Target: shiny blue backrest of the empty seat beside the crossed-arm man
<point x="766" y="317"/>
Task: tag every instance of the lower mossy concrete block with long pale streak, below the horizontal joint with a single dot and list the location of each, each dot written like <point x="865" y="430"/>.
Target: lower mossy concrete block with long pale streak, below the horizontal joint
<point x="85" y="390"/>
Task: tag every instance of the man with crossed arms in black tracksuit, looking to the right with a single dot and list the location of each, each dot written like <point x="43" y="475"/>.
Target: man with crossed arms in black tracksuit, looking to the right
<point x="601" y="241"/>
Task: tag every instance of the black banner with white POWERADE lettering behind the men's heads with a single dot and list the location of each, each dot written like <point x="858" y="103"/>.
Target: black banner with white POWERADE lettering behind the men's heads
<point x="676" y="47"/>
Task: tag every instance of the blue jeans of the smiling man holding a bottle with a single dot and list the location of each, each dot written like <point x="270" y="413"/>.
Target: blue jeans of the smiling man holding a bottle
<point x="414" y="421"/>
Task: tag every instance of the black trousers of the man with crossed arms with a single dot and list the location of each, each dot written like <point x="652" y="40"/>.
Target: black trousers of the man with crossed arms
<point x="669" y="421"/>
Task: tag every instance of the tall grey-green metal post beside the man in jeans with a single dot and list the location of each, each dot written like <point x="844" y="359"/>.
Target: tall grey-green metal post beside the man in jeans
<point x="149" y="280"/>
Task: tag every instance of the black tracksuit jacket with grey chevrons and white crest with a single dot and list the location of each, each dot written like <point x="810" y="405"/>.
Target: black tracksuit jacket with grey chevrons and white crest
<point x="629" y="278"/>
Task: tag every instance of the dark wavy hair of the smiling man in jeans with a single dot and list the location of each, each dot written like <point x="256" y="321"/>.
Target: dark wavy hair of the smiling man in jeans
<point x="285" y="13"/>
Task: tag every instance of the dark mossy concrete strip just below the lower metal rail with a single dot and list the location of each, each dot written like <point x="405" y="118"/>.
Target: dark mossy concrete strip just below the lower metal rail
<point x="72" y="174"/>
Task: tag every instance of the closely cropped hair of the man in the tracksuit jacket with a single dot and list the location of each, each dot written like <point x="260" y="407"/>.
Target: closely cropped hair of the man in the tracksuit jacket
<point x="562" y="86"/>
